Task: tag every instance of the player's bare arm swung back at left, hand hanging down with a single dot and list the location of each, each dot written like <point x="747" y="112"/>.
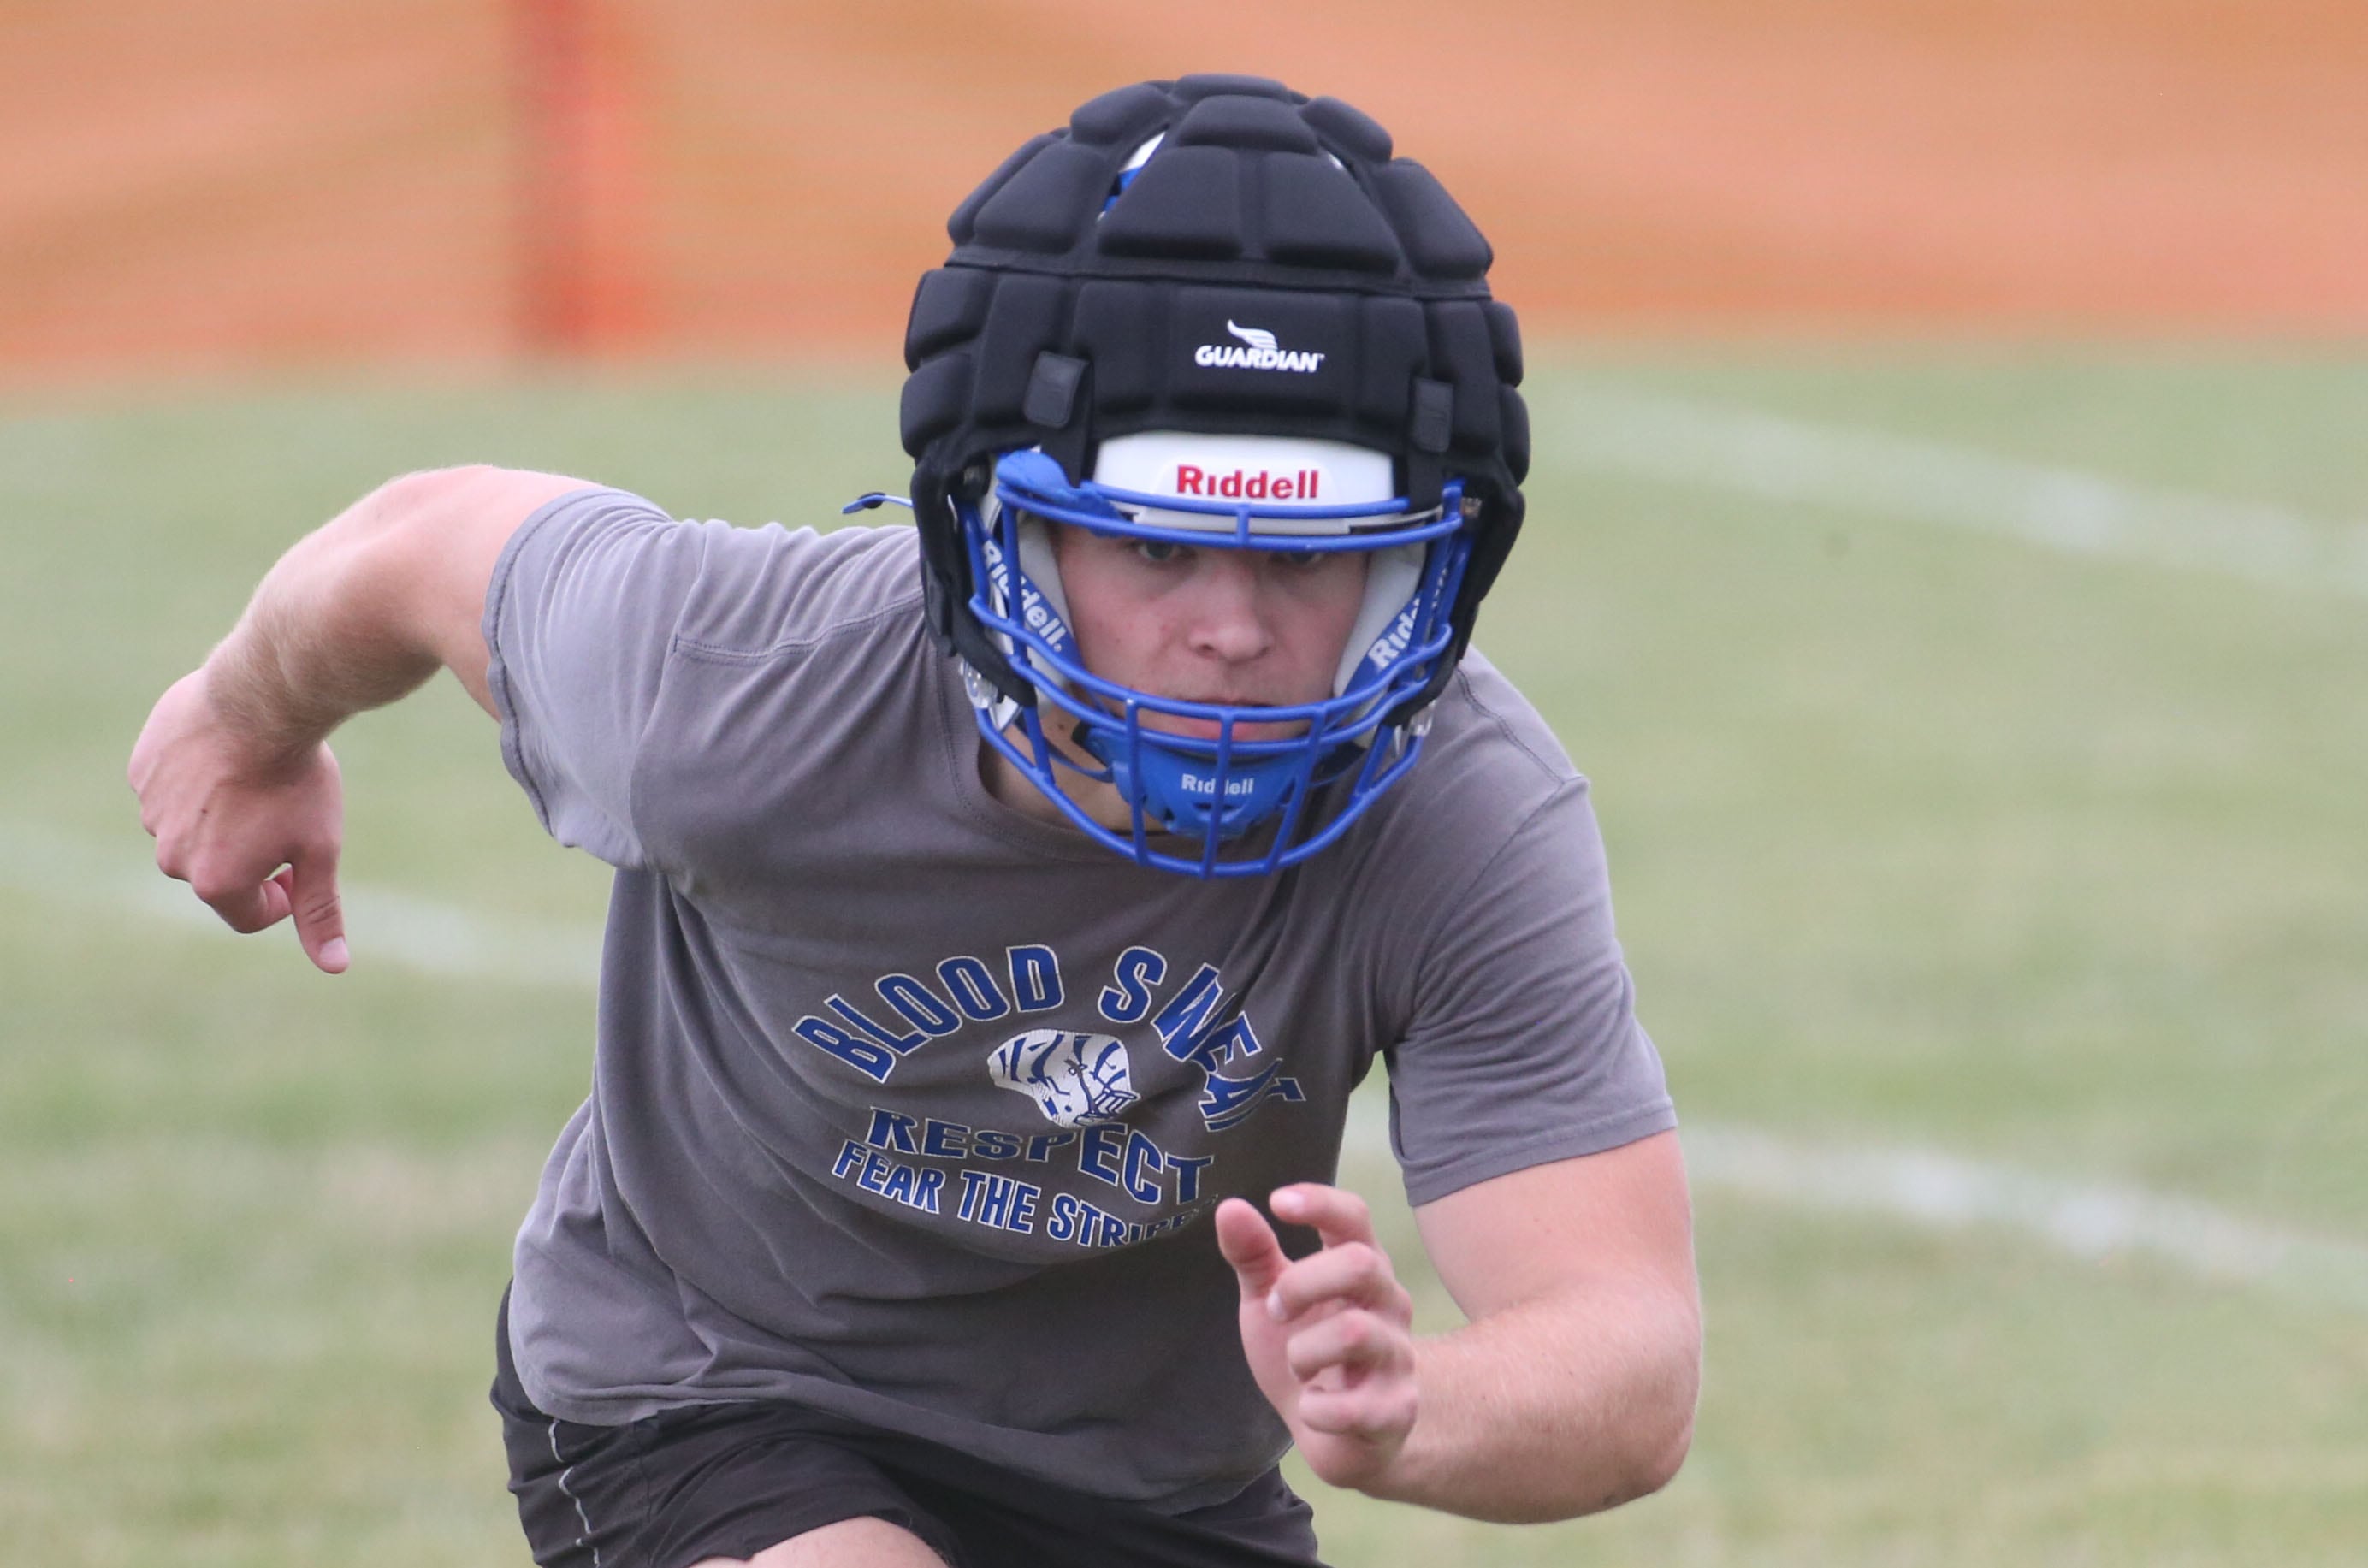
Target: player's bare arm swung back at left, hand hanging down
<point x="233" y="769"/>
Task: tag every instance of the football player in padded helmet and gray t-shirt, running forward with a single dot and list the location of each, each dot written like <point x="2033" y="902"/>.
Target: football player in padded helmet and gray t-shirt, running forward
<point x="993" y="939"/>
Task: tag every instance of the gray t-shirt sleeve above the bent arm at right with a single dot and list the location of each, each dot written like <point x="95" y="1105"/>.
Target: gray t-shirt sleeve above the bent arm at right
<point x="1524" y="1043"/>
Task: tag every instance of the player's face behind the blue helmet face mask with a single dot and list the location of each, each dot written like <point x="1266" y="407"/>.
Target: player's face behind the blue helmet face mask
<point x="1247" y="629"/>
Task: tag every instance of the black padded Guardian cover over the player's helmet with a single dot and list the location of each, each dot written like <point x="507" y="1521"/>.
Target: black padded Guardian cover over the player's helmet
<point x="1088" y="300"/>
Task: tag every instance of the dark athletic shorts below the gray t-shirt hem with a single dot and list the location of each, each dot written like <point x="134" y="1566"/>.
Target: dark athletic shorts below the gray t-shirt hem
<point x="735" y="1479"/>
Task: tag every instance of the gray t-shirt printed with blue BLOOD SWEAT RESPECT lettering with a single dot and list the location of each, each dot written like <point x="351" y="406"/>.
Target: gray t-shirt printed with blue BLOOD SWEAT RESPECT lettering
<point x="913" y="1107"/>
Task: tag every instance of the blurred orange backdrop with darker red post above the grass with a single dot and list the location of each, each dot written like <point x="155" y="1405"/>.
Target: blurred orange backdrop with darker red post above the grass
<point x="266" y="186"/>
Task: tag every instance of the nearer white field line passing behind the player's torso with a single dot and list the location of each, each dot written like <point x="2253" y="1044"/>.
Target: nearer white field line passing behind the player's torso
<point x="1915" y="1185"/>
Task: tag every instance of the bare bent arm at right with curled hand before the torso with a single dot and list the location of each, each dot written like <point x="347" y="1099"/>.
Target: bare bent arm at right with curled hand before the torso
<point x="1571" y="1387"/>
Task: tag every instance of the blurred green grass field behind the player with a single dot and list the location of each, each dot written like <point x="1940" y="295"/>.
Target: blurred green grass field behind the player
<point x="1926" y="840"/>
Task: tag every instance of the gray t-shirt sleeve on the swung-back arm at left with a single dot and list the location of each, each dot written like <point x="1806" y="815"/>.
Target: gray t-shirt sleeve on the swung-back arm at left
<point x="579" y="622"/>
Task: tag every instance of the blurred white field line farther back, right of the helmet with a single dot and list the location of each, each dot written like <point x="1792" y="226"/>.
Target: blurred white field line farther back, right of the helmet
<point x="1931" y="482"/>
